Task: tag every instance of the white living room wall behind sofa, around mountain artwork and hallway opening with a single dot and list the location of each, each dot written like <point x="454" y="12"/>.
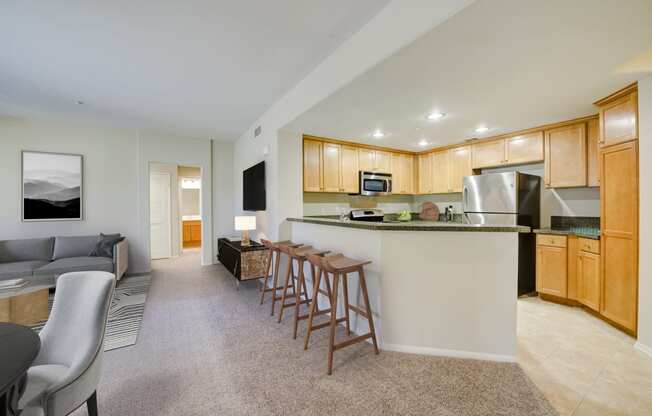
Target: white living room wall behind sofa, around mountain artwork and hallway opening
<point x="116" y="180"/>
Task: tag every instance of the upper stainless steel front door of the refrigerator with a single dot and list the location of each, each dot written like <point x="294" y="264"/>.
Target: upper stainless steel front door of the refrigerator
<point x="490" y="193"/>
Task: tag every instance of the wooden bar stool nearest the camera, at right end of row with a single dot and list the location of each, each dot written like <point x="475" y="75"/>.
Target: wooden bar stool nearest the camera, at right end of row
<point x="340" y="266"/>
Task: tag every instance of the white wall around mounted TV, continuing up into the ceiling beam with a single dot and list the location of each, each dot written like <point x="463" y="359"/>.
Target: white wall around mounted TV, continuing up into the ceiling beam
<point x="397" y="25"/>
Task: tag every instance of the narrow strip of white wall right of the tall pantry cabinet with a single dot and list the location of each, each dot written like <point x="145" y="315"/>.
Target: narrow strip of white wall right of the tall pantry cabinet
<point x="645" y="222"/>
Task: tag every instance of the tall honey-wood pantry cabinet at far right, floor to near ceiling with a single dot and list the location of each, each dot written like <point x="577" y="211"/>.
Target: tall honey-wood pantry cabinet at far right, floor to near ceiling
<point x="619" y="208"/>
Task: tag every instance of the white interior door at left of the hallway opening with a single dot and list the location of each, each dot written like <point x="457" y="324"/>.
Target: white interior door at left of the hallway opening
<point x="159" y="215"/>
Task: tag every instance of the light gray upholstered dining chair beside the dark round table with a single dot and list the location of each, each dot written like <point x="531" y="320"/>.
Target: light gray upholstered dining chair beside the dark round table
<point x="67" y="370"/>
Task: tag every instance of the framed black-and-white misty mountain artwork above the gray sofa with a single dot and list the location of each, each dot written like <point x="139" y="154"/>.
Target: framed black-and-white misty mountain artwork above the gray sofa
<point x="52" y="186"/>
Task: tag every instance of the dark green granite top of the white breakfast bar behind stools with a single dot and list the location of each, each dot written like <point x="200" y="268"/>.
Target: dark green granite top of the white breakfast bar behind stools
<point x="414" y="225"/>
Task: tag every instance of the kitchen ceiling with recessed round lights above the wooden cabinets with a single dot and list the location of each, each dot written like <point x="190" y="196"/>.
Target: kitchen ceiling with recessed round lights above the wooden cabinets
<point x="505" y="64"/>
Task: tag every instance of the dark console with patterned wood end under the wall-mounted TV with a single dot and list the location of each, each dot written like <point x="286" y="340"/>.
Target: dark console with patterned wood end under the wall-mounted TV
<point x="244" y="262"/>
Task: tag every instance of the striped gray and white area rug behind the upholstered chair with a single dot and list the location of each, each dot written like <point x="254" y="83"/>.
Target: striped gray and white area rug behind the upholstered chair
<point x="125" y="314"/>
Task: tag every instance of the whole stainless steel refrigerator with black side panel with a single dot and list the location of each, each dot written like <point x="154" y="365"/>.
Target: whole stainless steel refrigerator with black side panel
<point x="508" y="198"/>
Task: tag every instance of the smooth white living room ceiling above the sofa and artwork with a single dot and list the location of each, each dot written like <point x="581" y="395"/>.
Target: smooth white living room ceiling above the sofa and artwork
<point x="195" y="67"/>
